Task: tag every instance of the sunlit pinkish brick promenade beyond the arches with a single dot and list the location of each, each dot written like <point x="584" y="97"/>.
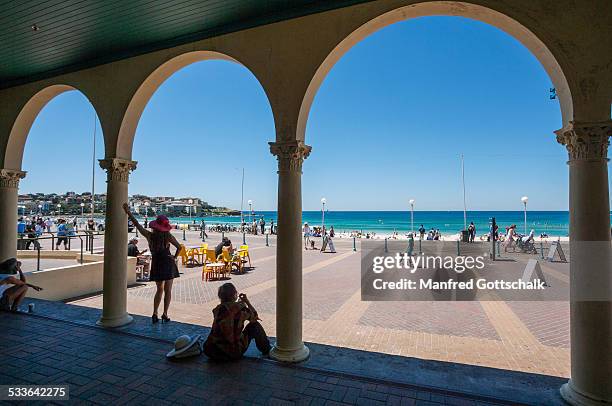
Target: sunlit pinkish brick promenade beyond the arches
<point x="521" y="336"/>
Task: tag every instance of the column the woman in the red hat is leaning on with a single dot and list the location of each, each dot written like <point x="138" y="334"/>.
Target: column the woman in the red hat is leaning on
<point x="114" y="308"/>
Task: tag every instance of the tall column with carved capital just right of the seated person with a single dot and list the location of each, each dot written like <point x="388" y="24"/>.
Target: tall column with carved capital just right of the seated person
<point x="289" y="345"/>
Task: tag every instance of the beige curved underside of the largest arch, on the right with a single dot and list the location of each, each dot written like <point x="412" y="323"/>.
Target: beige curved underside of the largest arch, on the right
<point x="442" y="8"/>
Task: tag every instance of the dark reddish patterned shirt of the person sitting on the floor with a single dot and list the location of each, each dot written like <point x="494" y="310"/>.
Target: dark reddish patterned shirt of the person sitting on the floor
<point x="226" y="335"/>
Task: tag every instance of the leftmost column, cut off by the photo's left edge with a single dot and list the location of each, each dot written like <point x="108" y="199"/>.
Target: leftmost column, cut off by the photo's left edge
<point x="9" y="189"/>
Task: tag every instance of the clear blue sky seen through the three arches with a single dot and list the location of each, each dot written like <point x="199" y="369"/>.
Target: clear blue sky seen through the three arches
<point x="388" y="124"/>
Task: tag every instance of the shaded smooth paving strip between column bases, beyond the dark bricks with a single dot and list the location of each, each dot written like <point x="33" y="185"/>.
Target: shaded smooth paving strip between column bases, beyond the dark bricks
<point x="479" y="383"/>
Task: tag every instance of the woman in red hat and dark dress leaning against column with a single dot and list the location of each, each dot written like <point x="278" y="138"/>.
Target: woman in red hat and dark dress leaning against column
<point x="163" y="263"/>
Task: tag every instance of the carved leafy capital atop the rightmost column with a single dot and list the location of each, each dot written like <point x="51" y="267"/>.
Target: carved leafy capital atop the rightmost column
<point x="586" y="141"/>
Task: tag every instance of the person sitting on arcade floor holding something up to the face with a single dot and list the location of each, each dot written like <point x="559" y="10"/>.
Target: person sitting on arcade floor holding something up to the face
<point x="228" y="338"/>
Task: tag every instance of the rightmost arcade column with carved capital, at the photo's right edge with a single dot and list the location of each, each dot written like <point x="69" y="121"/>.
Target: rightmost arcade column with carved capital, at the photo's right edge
<point x="590" y="263"/>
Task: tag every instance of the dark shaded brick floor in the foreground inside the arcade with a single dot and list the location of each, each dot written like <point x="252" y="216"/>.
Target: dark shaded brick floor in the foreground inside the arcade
<point x="105" y="367"/>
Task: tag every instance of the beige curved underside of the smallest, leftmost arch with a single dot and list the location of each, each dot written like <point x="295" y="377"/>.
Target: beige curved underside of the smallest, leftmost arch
<point x="23" y="123"/>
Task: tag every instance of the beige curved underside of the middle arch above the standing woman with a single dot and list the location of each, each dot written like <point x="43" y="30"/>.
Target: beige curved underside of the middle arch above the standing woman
<point x="138" y="102"/>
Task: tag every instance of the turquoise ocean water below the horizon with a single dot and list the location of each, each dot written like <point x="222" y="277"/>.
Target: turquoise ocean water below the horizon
<point x="554" y="223"/>
